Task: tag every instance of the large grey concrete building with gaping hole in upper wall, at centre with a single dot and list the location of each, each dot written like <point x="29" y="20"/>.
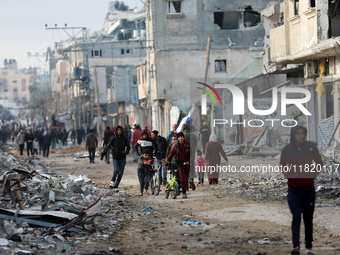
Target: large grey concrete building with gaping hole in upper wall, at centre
<point x="177" y="35"/>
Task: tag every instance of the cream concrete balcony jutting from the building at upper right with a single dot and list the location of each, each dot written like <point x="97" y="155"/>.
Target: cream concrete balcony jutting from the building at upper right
<point x="310" y="30"/>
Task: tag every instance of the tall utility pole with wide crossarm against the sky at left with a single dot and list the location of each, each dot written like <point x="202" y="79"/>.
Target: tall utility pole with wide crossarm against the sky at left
<point x="83" y="48"/>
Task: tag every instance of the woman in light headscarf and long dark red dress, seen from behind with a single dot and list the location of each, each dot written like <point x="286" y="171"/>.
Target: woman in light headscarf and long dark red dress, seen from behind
<point x="213" y="152"/>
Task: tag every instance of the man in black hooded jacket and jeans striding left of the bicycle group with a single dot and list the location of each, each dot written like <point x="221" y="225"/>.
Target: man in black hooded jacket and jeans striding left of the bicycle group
<point x="120" y="148"/>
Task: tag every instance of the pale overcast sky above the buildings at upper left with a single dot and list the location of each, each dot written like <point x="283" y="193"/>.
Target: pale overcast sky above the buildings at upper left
<point x="22" y="25"/>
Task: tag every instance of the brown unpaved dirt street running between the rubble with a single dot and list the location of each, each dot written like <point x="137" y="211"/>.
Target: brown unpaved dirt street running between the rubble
<point x="229" y="221"/>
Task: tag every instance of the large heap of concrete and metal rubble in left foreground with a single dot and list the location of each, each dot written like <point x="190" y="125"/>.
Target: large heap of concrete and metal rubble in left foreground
<point x="41" y="212"/>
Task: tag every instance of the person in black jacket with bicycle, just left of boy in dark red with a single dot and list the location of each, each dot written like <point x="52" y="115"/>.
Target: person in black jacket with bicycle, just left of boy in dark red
<point x="160" y="151"/>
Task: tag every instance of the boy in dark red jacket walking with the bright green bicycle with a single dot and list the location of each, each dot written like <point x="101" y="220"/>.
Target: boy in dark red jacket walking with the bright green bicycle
<point x="182" y="151"/>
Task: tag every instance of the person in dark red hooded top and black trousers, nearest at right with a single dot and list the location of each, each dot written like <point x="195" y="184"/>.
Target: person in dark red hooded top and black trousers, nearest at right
<point x="297" y="165"/>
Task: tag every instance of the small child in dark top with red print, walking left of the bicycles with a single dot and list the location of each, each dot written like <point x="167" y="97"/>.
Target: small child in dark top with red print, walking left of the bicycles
<point x="143" y="172"/>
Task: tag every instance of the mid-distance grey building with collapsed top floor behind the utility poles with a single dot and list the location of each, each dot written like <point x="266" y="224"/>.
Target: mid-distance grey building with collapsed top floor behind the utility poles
<point x="104" y="62"/>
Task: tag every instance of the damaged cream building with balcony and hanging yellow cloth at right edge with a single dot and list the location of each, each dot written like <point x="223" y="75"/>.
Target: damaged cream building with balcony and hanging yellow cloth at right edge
<point x="303" y="40"/>
